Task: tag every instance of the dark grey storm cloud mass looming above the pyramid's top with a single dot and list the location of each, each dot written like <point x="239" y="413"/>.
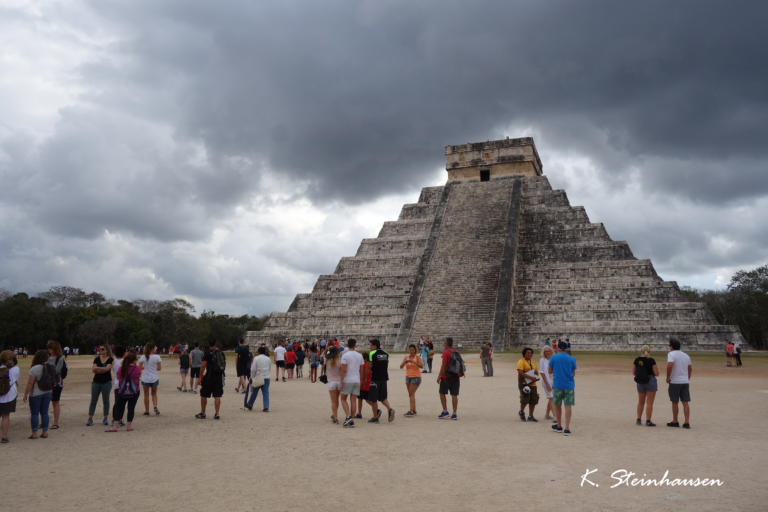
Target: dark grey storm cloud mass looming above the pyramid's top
<point x="361" y="97"/>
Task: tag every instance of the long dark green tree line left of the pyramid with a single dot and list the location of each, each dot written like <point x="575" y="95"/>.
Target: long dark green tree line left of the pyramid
<point x="79" y="319"/>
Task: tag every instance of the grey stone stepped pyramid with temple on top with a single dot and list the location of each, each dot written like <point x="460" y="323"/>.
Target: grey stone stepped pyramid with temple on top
<point x="497" y="255"/>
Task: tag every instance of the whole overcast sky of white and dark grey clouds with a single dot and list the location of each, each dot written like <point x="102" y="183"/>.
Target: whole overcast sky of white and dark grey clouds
<point x="229" y="152"/>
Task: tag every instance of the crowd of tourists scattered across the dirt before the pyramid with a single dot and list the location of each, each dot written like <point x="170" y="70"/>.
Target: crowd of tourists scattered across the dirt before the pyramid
<point x="354" y="376"/>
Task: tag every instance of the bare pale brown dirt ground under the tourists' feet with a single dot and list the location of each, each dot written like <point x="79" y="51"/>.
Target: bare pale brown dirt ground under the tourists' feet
<point x="293" y="459"/>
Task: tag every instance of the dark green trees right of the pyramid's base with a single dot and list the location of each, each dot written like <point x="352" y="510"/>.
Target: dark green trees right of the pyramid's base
<point x="744" y="302"/>
